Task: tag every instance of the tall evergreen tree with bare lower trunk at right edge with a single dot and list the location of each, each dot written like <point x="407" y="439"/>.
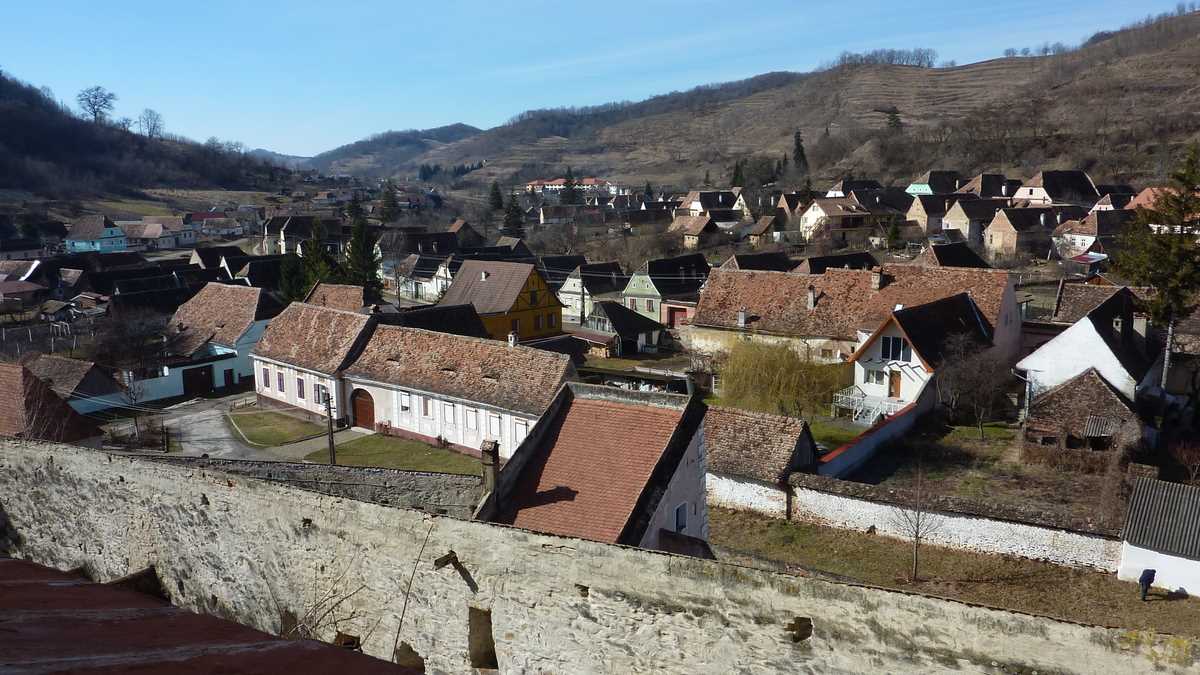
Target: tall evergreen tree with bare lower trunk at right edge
<point x="1168" y="261"/>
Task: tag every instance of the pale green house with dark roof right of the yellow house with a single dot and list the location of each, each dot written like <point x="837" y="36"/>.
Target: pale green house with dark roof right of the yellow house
<point x="667" y="290"/>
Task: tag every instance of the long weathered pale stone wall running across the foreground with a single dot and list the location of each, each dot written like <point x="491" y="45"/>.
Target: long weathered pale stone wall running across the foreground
<point x="269" y="555"/>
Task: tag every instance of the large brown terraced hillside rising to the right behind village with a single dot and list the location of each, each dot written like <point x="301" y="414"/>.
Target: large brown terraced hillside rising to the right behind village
<point x="1119" y="106"/>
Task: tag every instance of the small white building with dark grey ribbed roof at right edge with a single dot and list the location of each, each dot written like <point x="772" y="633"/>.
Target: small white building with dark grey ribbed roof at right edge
<point x="1161" y="535"/>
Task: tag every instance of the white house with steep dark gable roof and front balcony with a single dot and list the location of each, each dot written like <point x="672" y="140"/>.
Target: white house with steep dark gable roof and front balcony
<point x="895" y="363"/>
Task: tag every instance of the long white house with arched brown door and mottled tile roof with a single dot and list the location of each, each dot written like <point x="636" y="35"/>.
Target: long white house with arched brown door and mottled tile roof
<point x="439" y="387"/>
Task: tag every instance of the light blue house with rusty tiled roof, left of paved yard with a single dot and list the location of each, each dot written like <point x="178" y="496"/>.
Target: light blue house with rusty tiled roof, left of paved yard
<point x="208" y="344"/>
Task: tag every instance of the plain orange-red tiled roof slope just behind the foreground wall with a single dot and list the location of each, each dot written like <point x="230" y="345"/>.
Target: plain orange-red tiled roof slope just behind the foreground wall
<point x="589" y="477"/>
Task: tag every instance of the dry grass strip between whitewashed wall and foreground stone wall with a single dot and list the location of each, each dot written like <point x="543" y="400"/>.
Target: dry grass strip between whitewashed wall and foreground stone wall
<point x="1017" y="584"/>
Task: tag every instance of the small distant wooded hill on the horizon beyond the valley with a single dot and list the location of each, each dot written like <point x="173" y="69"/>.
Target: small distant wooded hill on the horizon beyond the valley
<point x="380" y="154"/>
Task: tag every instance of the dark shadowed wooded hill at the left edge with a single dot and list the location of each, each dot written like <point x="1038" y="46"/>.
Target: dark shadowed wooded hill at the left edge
<point x="47" y="150"/>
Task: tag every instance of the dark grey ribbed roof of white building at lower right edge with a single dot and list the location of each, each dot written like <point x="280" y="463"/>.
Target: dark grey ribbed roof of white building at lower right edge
<point x="1163" y="518"/>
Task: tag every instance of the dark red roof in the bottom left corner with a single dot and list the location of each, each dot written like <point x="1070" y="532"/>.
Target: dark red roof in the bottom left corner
<point x="62" y="623"/>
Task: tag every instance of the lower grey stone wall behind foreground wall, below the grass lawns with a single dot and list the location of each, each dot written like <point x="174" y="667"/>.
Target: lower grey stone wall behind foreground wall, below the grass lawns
<point x="436" y="493"/>
